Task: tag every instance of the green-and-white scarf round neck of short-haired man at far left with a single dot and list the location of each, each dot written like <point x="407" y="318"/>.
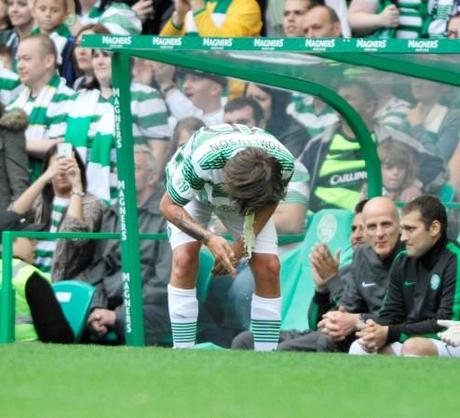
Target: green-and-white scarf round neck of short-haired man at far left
<point x="36" y="109"/>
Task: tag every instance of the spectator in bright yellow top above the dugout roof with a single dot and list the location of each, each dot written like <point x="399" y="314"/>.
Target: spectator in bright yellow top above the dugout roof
<point x="218" y="18"/>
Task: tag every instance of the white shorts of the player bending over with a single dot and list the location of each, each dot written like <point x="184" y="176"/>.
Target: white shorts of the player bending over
<point x="266" y="241"/>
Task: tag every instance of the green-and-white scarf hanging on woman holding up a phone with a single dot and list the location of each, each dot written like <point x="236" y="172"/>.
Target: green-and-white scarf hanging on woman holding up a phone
<point x="44" y="251"/>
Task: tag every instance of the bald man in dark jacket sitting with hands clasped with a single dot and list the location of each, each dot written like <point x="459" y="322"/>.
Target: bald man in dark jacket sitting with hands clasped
<point x="363" y="295"/>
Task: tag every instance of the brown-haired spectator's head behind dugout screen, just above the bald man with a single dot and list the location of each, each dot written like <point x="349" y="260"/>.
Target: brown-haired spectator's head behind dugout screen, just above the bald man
<point x="399" y="169"/>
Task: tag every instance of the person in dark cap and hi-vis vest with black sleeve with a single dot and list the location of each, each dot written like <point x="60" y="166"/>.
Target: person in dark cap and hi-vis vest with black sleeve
<point x="38" y="313"/>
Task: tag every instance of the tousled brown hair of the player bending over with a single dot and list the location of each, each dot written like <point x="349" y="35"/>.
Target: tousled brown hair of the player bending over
<point x="253" y="179"/>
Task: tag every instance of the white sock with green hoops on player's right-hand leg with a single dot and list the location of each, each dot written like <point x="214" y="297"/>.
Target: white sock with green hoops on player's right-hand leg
<point x="265" y="322"/>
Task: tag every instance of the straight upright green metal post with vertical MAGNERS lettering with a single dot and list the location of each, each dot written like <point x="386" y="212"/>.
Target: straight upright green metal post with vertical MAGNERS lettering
<point x="132" y="284"/>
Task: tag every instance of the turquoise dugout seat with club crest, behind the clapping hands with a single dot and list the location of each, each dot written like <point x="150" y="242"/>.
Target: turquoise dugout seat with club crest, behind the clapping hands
<point x="329" y="226"/>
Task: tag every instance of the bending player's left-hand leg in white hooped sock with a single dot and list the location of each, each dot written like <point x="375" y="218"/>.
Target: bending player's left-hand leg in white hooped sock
<point x="182" y="300"/>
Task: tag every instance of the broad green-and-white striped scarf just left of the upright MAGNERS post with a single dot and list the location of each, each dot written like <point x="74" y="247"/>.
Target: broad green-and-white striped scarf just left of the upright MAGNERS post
<point x="90" y="130"/>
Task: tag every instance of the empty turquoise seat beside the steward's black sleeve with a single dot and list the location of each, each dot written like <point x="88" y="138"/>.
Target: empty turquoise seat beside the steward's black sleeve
<point x="75" y="299"/>
